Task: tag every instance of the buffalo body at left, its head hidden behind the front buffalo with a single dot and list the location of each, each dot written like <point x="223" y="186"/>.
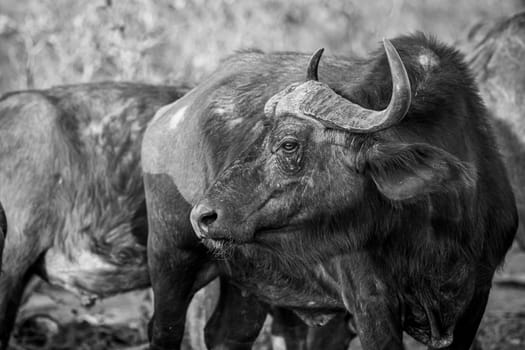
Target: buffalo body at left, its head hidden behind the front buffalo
<point x="72" y="190"/>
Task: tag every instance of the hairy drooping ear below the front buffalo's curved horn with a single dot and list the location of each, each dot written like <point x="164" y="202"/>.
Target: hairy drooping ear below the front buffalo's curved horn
<point x="405" y="171"/>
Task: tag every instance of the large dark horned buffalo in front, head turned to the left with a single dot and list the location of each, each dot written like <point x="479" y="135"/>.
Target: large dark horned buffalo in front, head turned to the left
<point x="371" y="189"/>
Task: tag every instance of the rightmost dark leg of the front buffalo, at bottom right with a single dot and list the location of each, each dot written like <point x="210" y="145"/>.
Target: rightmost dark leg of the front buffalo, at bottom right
<point x="467" y="325"/>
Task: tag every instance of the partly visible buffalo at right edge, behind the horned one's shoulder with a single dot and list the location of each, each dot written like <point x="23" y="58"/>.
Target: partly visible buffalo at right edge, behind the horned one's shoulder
<point x="497" y="63"/>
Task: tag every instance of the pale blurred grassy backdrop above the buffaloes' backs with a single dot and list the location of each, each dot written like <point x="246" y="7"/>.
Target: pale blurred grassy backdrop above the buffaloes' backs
<point x="50" y="42"/>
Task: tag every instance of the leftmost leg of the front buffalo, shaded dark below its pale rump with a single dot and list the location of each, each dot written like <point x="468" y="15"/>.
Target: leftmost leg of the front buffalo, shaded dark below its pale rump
<point x="175" y="259"/>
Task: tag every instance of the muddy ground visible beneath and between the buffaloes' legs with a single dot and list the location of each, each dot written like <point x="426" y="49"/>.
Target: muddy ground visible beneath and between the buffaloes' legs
<point x="53" y="319"/>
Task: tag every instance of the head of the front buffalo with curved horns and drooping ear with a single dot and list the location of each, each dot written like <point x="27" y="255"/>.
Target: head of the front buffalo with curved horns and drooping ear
<point x="322" y="160"/>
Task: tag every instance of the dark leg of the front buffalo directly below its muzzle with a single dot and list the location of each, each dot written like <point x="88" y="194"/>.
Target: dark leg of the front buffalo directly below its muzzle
<point x="236" y="321"/>
